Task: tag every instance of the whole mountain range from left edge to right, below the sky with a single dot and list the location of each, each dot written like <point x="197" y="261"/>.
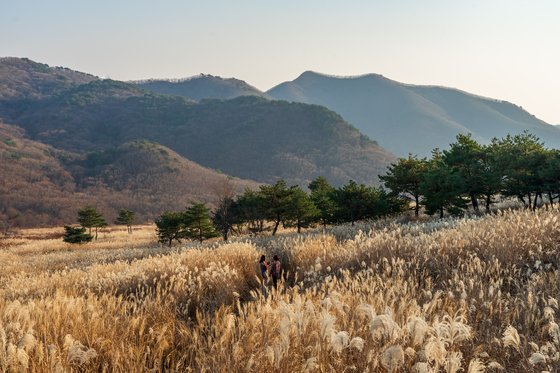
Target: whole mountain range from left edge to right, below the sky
<point x="69" y="138"/>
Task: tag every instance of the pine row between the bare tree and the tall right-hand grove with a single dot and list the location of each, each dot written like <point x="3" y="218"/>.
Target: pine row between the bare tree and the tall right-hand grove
<point x="291" y="206"/>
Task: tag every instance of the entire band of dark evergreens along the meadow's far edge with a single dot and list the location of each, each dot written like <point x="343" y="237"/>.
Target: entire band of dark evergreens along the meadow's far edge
<point x="466" y="175"/>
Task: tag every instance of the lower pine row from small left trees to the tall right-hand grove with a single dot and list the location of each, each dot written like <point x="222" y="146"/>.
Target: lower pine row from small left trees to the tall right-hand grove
<point x="272" y="206"/>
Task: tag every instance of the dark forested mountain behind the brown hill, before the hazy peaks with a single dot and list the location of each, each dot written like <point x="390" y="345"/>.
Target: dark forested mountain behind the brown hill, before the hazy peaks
<point x="249" y="137"/>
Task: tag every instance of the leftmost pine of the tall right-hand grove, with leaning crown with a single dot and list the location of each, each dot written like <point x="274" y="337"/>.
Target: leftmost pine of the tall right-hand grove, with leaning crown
<point x="405" y="177"/>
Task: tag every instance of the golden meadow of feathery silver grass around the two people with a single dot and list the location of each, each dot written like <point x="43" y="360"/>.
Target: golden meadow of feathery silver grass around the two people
<point x="472" y="295"/>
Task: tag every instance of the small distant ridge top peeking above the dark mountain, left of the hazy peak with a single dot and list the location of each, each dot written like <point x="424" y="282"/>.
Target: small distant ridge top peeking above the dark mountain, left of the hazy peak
<point x="202" y="87"/>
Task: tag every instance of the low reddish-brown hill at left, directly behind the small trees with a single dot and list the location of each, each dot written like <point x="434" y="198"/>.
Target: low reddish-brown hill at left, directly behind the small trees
<point x="41" y="185"/>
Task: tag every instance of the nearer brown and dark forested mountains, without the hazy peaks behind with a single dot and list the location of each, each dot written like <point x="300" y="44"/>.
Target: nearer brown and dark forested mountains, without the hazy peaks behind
<point x="93" y="133"/>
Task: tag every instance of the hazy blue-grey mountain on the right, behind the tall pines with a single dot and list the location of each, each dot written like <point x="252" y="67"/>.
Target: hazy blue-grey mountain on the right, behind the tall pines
<point x="406" y="118"/>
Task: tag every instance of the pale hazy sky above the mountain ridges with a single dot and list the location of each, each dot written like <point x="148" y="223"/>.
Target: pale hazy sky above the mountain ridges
<point x="503" y="49"/>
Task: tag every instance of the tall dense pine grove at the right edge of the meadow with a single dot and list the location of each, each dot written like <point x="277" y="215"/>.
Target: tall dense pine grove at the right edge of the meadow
<point x="468" y="174"/>
